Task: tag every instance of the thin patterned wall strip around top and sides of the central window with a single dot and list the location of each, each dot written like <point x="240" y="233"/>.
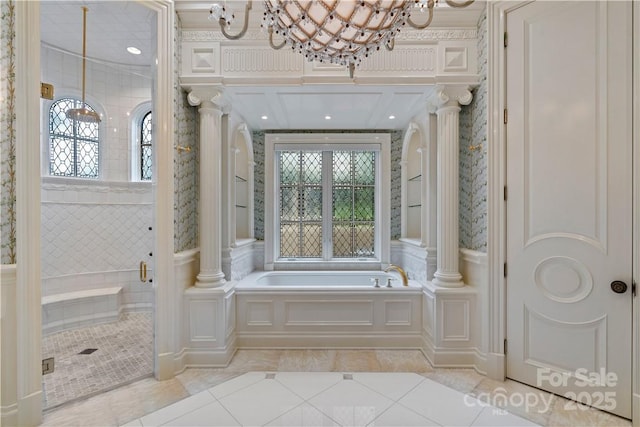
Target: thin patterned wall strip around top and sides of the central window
<point x="258" y="155"/>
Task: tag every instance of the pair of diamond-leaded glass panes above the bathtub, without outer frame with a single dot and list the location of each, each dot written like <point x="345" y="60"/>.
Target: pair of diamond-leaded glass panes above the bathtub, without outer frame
<point x="346" y="220"/>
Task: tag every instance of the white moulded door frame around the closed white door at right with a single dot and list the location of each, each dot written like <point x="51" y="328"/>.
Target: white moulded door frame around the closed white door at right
<point x="496" y="223"/>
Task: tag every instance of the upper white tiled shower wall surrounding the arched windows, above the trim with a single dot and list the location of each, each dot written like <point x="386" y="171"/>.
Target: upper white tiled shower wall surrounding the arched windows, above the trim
<point x="112" y="90"/>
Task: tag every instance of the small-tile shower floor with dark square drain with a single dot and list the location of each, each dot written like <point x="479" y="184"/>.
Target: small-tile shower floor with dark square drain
<point x="122" y="353"/>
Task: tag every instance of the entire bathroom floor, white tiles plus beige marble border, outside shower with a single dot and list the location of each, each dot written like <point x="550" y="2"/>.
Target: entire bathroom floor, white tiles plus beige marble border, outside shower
<point x="327" y="387"/>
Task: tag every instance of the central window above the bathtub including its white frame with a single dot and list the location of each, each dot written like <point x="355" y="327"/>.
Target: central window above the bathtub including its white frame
<point x="327" y="199"/>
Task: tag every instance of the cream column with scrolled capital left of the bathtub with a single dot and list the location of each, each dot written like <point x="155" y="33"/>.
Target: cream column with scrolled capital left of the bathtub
<point x="210" y="216"/>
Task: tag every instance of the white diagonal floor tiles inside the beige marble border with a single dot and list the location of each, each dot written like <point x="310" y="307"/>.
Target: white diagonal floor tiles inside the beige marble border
<point x="330" y="399"/>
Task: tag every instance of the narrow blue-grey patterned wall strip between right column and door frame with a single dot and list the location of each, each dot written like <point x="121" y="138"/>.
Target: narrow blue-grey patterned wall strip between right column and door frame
<point x="473" y="157"/>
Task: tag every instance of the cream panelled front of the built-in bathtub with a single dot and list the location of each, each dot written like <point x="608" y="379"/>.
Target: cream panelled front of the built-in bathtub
<point x="329" y="318"/>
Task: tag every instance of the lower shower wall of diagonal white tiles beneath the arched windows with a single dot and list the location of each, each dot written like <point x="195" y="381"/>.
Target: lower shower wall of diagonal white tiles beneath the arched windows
<point x="95" y="227"/>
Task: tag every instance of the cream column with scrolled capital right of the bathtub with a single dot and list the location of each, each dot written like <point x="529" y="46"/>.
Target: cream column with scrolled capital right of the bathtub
<point x="445" y="103"/>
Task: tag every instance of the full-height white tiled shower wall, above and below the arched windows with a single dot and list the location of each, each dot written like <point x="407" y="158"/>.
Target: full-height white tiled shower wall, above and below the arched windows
<point x="95" y="232"/>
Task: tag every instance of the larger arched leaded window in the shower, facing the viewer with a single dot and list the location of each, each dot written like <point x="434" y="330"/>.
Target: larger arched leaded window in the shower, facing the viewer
<point x="73" y="145"/>
